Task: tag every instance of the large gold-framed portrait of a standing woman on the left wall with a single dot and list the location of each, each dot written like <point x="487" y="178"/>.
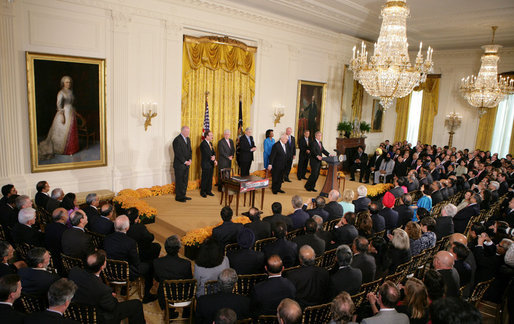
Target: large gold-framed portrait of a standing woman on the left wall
<point x="66" y="99"/>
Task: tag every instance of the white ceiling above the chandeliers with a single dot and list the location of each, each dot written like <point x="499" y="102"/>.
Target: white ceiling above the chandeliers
<point x="442" y="24"/>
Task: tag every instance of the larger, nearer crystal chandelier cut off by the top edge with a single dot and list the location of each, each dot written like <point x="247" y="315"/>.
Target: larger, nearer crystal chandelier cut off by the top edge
<point x="389" y="74"/>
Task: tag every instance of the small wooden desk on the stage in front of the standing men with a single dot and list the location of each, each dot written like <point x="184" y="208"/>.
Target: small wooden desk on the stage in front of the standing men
<point x="243" y="185"/>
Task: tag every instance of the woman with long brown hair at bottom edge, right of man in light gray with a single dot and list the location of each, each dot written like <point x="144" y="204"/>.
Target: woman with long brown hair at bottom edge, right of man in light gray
<point x="415" y="304"/>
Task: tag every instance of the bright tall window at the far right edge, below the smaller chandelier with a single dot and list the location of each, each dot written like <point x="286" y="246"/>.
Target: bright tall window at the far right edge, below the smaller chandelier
<point x="503" y="127"/>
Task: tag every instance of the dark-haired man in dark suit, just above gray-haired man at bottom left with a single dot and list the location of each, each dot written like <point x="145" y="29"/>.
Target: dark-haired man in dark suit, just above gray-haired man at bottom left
<point x="35" y="279"/>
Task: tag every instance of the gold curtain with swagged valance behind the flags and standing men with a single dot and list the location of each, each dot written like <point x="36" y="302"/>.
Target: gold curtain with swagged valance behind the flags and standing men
<point x="226" y="69"/>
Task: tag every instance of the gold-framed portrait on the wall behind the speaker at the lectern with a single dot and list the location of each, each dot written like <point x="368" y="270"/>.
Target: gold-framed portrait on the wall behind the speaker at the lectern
<point x="308" y="114"/>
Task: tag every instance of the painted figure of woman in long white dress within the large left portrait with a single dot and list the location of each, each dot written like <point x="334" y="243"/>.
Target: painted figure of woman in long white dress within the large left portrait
<point x="63" y="135"/>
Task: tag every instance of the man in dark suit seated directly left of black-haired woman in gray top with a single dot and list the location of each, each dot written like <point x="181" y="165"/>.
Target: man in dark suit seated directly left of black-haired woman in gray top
<point x="171" y="266"/>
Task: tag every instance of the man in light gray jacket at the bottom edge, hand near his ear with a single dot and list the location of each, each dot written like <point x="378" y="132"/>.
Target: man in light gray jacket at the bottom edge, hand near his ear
<point x="388" y="296"/>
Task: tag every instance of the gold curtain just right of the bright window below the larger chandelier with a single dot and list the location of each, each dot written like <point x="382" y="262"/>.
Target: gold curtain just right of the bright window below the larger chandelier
<point x="429" y="107"/>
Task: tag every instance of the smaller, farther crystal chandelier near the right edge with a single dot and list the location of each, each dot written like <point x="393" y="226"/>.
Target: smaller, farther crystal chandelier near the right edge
<point x="486" y="90"/>
